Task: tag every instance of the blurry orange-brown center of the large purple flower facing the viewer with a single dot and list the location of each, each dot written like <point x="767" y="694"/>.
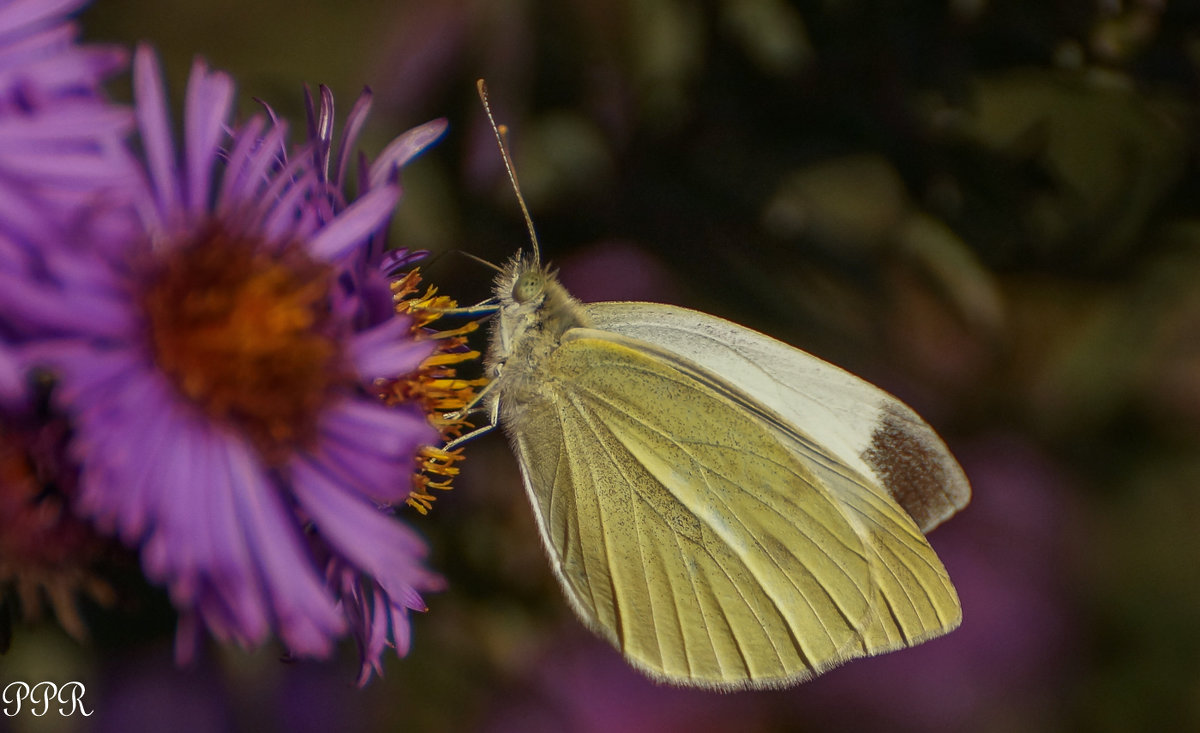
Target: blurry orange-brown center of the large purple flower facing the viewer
<point x="245" y="333"/>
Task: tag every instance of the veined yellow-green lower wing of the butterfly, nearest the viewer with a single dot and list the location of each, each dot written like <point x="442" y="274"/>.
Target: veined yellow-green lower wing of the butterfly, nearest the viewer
<point x="700" y="537"/>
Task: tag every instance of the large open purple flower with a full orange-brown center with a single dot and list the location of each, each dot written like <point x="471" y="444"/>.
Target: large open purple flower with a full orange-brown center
<point x="218" y="356"/>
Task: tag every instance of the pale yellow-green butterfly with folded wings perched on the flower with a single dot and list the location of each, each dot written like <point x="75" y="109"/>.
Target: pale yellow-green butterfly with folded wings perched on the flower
<point x="727" y="510"/>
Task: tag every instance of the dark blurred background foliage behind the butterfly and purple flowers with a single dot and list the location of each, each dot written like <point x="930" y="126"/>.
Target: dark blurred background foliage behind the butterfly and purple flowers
<point x="992" y="211"/>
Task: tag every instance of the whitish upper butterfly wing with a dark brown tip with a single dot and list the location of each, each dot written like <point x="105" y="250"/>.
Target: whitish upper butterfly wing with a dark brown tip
<point x="849" y="422"/>
